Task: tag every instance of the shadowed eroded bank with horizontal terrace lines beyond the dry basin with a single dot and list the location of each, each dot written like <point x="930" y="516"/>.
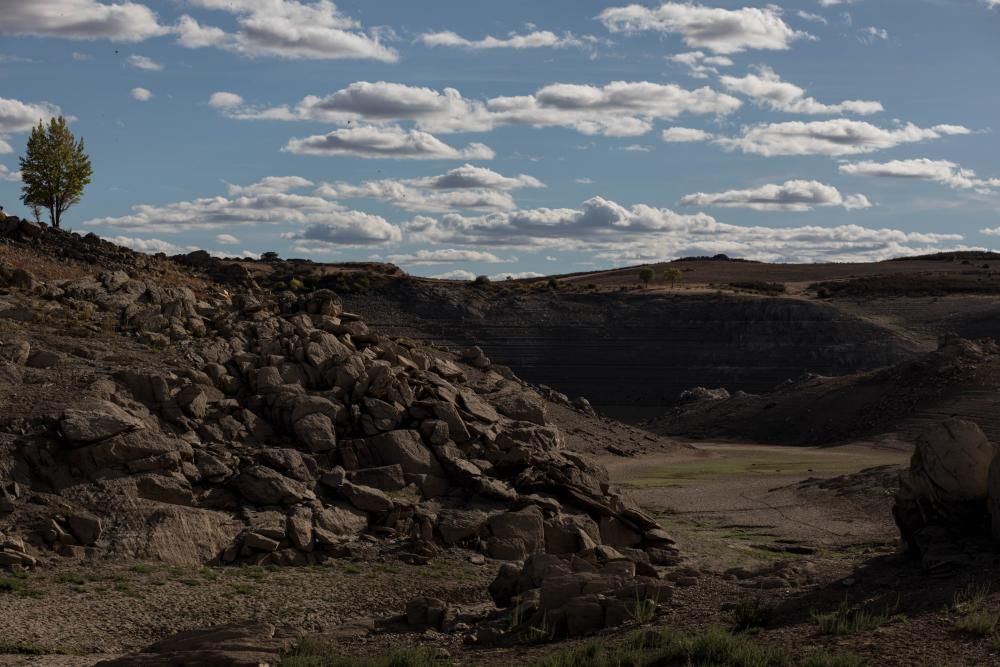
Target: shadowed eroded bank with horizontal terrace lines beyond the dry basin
<point x="631" y="355"/>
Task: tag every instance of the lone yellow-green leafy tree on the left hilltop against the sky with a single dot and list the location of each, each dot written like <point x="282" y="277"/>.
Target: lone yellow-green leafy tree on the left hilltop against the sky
<point x="55" y="169"/>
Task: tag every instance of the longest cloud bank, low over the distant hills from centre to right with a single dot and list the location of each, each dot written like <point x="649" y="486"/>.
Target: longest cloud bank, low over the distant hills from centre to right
<point x="645" y="233"/>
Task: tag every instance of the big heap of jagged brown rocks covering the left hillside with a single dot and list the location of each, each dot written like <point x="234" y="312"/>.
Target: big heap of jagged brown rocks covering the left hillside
<point x="284" y="431"/>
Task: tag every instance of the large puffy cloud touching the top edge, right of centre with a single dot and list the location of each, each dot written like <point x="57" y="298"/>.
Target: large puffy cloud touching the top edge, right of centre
<point x="720" y="30"/>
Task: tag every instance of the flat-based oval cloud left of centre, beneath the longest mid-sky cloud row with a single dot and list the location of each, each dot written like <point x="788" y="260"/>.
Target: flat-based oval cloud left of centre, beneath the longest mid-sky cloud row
<point x="389" y="142"/>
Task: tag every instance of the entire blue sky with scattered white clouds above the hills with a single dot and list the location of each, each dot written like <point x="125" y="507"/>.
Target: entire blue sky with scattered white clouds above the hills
<point x="517" y="138"/>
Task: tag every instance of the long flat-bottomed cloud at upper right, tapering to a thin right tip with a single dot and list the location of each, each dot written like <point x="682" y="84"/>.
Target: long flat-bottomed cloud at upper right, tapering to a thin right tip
<point x="831" y="137"/>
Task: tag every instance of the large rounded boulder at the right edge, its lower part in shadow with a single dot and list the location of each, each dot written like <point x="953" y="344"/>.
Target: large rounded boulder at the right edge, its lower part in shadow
<point x="948" y="504"/>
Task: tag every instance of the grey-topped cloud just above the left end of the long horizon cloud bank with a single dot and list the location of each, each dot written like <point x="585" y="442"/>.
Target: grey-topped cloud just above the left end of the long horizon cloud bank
<point x="464" y="187"/>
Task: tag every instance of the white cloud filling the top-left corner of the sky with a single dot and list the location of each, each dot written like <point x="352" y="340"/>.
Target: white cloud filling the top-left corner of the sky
<point x="80" y="19"/>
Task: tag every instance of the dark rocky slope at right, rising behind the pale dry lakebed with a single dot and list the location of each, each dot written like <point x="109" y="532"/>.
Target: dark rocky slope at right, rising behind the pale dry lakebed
<point x="961" y="378"/>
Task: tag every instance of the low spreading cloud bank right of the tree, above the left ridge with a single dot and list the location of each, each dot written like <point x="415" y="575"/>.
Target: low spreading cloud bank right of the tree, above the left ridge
<point x="269" y="202"/>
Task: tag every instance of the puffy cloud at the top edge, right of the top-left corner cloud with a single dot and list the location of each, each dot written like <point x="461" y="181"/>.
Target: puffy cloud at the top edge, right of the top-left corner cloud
<point x="285" y="29"/>
